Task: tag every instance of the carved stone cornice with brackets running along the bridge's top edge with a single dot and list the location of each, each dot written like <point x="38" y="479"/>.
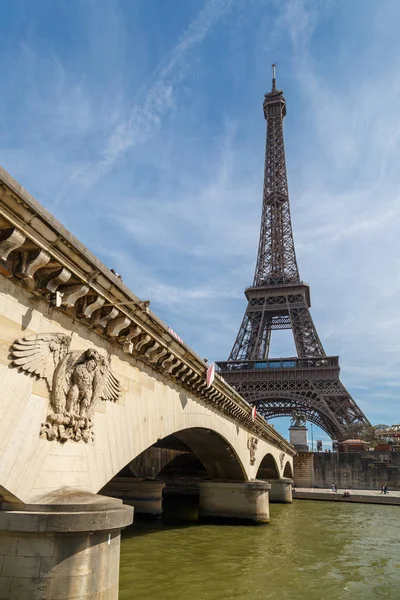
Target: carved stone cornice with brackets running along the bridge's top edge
<point x="37" y="252"/>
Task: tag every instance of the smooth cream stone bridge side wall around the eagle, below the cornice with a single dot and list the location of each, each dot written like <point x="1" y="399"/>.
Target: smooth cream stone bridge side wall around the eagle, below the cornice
<point x="149" y="408"/>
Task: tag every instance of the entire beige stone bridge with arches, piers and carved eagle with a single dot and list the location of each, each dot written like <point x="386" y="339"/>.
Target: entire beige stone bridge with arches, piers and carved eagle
<point x="99" y="395"/>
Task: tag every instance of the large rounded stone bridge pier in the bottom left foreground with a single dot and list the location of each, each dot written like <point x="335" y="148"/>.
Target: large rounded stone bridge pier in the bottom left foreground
<point x="66" y="548"/>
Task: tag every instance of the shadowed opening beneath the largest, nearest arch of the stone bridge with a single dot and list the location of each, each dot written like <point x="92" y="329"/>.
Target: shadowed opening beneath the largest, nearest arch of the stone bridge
<point x="177" y="465"/>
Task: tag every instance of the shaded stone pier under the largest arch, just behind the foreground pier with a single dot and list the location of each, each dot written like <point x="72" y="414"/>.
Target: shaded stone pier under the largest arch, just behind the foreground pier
<point x="144" y="496"/>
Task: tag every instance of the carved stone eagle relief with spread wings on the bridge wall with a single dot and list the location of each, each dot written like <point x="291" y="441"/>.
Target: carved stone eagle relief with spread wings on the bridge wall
<point x="76" y="380"/>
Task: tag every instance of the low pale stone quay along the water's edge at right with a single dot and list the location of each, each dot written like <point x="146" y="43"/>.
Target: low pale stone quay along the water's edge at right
<point x="360" y="496"/>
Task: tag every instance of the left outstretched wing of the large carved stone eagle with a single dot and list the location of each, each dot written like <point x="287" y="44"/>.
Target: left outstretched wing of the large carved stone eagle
<point x="40" y="354"/>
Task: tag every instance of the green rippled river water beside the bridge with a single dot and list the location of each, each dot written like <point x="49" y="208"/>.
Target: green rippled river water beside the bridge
<point x="310" y="551"/>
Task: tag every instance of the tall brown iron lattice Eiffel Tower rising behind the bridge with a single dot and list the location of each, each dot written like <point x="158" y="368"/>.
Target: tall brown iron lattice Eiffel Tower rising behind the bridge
<point x="308" y="383"/>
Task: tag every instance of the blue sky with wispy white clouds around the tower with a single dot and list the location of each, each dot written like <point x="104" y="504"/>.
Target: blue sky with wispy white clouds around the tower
<point x="139" y="124"/>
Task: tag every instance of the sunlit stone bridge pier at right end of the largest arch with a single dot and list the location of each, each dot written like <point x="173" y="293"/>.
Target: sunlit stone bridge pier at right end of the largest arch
<point x="235" y="500"/>
